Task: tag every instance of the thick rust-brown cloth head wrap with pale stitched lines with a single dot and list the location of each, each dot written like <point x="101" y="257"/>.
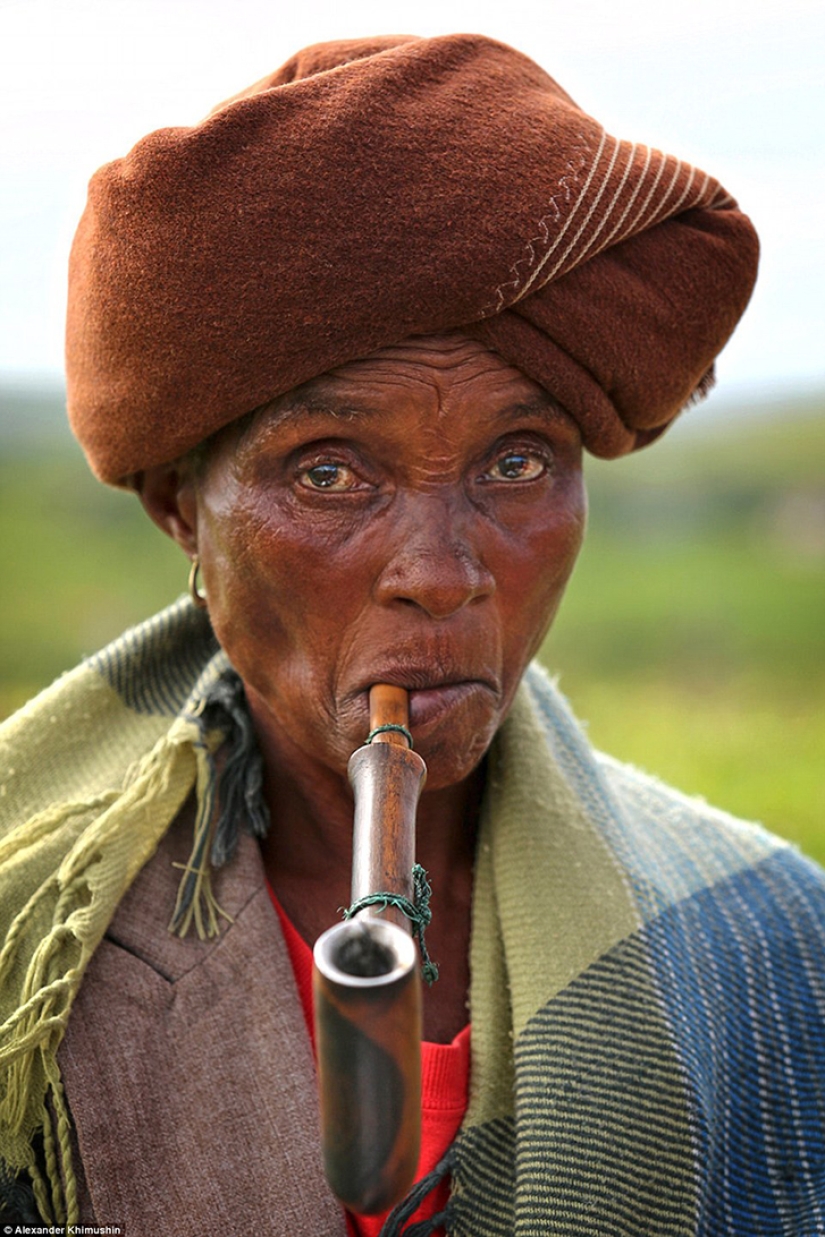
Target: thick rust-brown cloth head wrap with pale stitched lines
<point x="375" y="190"/>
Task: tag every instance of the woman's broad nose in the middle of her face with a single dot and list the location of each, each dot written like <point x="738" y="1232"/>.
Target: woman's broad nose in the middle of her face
<point x="435" y="563"/>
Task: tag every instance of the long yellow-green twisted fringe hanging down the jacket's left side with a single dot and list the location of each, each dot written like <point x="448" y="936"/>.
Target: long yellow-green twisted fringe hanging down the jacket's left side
<point x="100" y="867"/>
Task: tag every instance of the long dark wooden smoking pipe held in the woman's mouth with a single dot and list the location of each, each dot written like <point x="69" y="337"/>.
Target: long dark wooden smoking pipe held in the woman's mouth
<point x="367" y="982"/>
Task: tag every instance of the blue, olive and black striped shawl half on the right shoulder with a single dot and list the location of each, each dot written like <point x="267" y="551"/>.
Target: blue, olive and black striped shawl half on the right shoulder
<point x="660" y="1068"/>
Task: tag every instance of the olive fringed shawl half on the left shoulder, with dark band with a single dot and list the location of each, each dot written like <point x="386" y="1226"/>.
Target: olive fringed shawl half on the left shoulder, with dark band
<point x="92" y="774"/>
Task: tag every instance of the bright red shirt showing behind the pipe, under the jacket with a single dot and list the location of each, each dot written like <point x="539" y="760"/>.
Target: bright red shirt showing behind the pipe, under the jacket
<point x="446" y="1079"/>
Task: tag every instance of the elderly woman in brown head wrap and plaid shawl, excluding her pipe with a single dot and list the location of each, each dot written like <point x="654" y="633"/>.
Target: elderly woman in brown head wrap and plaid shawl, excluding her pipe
<point x="347" y="340"/>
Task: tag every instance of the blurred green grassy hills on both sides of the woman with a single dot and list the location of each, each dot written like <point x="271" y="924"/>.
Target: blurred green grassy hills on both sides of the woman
<point x="692" y="639"/>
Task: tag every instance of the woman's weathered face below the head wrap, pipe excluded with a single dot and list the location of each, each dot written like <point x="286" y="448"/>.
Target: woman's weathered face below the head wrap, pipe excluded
<point x="411" y="519"/>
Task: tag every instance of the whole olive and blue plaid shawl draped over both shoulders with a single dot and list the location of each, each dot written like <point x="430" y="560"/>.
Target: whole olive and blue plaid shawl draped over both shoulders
<point x="649" y="993"/>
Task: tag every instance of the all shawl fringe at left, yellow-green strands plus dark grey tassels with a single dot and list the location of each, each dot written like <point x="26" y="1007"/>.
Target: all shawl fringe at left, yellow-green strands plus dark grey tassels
<point x="100" y="847"/>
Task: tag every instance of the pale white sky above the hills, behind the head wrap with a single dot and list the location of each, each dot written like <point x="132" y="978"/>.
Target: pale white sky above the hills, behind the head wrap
<point x="734" y="86"/>
